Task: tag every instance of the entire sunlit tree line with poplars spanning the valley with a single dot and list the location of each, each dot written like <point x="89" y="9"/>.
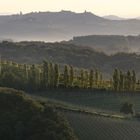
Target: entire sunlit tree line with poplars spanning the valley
<point x="49" y="75"/>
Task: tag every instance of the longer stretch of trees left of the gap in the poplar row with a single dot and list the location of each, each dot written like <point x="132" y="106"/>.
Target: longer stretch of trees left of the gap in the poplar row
<point x="47" y="75"/>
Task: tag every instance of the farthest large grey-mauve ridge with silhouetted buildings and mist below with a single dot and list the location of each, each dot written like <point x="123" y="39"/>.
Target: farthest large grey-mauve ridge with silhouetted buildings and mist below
<point x="63" y="25"/>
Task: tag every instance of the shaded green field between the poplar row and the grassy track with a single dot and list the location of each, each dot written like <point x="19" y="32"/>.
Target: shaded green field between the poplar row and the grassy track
<point x="100" y="100"/>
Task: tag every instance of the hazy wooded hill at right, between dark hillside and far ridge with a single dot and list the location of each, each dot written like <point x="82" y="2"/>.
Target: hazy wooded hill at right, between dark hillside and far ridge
<point x="109" y="43"/>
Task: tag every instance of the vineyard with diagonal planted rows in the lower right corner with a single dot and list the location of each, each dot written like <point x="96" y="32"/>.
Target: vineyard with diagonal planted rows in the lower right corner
<point x="89" y="127"/>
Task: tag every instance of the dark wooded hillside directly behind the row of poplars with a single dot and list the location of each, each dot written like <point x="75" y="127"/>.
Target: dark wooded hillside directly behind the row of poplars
<point x="36" y="52"/>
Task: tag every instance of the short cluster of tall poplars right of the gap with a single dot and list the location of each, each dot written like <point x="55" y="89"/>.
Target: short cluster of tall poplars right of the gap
<point x="124" y="81"/>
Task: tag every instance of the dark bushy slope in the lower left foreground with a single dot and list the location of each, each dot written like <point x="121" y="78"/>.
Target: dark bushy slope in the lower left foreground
<point x="23" y="118"/>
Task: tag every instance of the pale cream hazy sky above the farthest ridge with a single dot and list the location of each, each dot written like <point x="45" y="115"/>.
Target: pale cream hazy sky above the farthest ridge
<point x="124" y="8"/>
